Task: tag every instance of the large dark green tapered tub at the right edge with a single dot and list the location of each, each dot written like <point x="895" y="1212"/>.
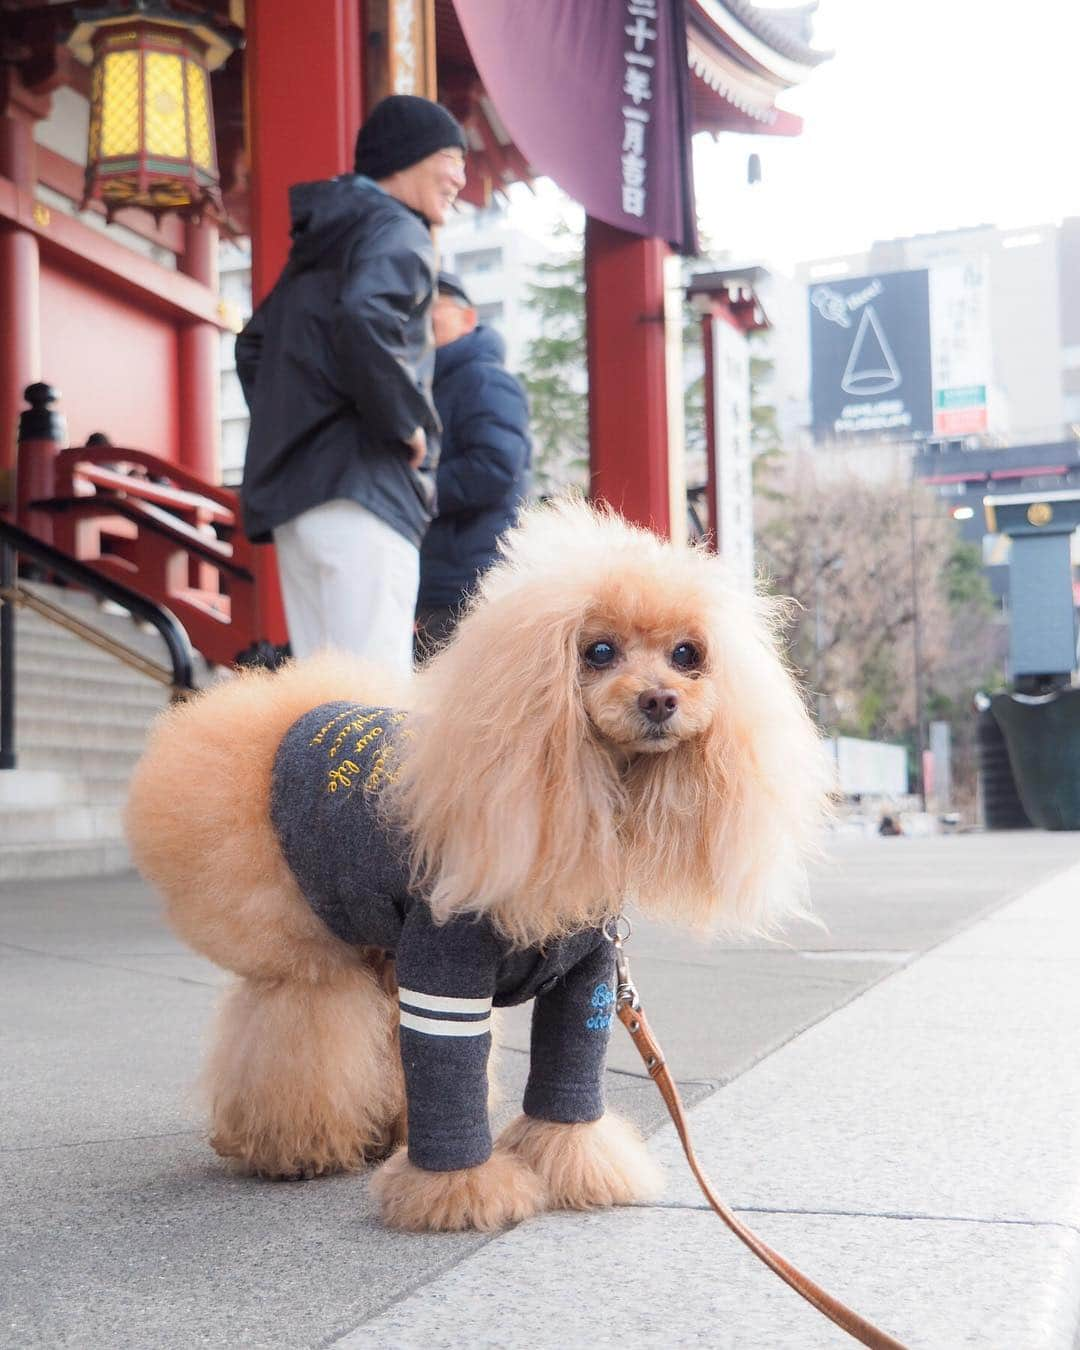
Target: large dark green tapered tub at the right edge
<point x="1043" y="736"/>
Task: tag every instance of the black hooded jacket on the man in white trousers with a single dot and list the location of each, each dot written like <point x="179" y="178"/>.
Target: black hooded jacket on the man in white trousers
<point x="337" y="364"/>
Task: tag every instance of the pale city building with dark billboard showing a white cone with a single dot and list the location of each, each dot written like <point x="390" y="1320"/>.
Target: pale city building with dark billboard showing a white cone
<point x="952" y="358"/>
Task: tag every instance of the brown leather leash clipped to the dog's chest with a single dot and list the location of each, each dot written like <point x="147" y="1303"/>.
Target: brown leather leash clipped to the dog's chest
<point x="628" y="1009"/>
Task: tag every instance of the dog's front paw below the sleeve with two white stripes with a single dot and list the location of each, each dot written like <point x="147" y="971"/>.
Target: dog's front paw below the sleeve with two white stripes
<point x="491" y="1197"/>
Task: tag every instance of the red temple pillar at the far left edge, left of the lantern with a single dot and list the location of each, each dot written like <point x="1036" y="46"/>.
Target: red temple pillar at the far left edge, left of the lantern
<point x="21" y="346"/>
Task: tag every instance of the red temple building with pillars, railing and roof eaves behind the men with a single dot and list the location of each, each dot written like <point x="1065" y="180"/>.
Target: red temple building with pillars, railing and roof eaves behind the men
<point x="125" y="321"/>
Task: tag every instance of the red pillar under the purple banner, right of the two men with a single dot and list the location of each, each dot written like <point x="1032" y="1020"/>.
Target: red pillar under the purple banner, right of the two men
<point x="628" y="408"/>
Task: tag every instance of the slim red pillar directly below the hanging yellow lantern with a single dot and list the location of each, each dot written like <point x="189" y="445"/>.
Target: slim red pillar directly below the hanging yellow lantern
<point x="200" y="364"/>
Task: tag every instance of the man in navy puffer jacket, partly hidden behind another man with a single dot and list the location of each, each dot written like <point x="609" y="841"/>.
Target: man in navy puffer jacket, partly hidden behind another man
<point x="484" y="470"/>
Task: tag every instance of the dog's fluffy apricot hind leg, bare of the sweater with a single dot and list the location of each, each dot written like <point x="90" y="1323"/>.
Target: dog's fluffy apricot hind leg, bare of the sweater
<point x="306" y="1078"/>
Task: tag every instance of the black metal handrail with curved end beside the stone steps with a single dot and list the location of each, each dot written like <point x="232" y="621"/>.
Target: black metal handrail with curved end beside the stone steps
<point x="16" y="542"/>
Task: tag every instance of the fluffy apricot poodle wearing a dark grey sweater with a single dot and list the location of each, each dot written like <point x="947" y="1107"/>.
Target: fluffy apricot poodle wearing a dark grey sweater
<point x="612" y="723"/>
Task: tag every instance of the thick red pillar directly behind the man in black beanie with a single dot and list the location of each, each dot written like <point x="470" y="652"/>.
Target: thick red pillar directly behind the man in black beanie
<point x="303" y="64"/>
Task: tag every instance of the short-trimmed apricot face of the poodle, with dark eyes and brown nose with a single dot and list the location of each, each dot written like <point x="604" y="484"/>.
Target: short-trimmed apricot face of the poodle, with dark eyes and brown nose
<point x="646" y="670"/>
